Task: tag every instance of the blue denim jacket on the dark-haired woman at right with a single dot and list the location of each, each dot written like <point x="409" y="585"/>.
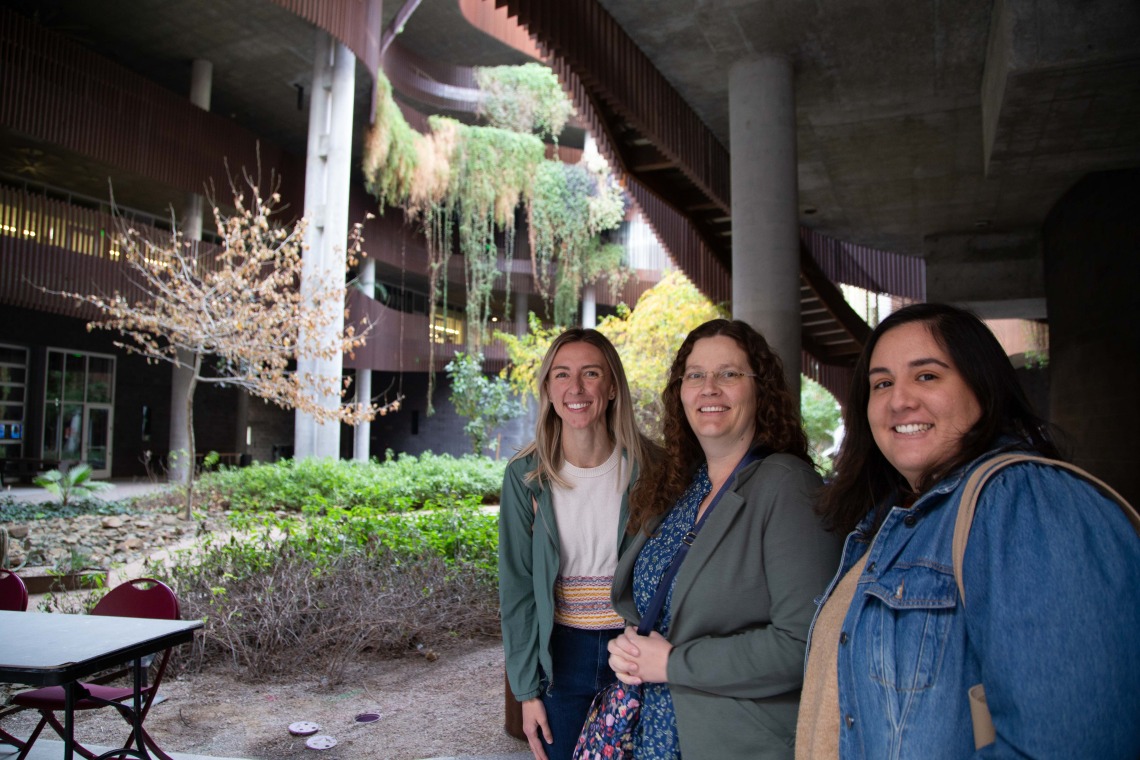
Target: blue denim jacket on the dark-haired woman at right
<point x="1052" y="627"/>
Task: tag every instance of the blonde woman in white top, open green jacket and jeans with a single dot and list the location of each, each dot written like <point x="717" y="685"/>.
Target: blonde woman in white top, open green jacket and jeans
<point x="563" y="527"/>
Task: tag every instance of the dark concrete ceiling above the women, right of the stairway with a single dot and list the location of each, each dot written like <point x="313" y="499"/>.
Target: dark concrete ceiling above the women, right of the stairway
<point x="894" y="99"/>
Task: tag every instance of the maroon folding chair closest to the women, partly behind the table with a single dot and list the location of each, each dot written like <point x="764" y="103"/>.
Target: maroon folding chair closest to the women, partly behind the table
<point x="143" y="598"/>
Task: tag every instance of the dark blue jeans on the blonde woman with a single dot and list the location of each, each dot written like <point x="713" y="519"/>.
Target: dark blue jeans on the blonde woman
<point x="581" y="672"/>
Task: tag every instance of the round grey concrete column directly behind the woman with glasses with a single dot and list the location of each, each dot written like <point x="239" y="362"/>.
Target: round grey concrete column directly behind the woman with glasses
<point x="766" y="228"/>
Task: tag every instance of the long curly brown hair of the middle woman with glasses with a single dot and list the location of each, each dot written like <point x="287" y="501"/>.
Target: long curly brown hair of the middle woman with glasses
<point x="778" y="426"/>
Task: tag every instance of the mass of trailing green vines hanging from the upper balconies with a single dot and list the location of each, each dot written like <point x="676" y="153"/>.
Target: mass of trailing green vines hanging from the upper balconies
<point x="465" y="184"/>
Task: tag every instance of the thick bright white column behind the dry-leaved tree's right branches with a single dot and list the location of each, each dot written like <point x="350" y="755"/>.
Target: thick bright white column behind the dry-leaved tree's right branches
<point x="327" y="206"/>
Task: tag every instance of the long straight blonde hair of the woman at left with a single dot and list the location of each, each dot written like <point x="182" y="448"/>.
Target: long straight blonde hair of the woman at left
<point x="620" y="414"/>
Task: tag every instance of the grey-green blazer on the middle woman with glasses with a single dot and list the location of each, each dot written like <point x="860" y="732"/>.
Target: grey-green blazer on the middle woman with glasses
<point x="743" y="604"/>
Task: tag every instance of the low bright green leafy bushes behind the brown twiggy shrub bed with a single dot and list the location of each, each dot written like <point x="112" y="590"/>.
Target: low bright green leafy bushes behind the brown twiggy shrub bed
<point x="400" y="484"/>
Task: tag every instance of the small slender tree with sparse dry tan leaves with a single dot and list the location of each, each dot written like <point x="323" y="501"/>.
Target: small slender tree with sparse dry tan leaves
<point x="237" y="316"/>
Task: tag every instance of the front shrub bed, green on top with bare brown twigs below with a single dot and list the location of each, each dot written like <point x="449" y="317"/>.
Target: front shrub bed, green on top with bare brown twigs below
<point x="317" y="590"/>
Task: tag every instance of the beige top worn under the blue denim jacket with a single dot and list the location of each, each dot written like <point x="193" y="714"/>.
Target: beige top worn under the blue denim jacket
<point x="818" y="729"/>
